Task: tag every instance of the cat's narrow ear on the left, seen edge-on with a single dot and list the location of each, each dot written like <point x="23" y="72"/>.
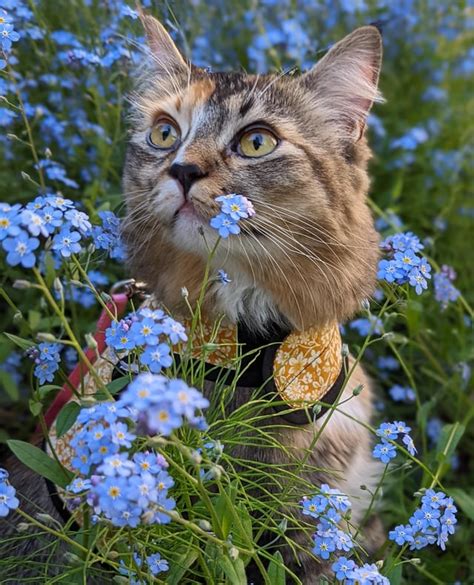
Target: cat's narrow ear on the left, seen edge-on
<point x="164" y="53"/>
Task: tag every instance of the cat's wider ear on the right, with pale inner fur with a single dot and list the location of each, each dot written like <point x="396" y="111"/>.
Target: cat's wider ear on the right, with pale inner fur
<point x="344" y="82"/>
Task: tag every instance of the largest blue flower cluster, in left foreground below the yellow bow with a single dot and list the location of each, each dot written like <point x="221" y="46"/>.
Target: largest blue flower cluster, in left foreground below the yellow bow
<point x="123" y="488"/>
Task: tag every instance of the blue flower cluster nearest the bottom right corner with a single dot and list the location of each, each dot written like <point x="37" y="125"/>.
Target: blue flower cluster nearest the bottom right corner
<point x="431" y="523"/>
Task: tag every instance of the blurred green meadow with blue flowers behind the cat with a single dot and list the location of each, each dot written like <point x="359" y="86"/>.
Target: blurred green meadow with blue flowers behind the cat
<point x="63" y="105"/>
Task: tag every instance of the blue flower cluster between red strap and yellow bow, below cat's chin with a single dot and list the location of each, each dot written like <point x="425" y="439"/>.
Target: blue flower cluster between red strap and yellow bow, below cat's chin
<point x="147" y="330"/>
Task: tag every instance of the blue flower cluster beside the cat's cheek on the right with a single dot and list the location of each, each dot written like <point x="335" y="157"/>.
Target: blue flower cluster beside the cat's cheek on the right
<point x="405" y="265"/>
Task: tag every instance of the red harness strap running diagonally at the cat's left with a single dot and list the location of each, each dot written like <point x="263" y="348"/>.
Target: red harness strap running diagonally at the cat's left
<point x="117" y="306"/>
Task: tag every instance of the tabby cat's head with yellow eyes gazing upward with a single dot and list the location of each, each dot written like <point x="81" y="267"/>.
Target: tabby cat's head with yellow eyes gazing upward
<point x="295" y="146"/>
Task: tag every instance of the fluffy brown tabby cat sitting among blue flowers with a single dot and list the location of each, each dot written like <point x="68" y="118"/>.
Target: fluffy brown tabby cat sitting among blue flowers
<point x="295" y="146"/>
